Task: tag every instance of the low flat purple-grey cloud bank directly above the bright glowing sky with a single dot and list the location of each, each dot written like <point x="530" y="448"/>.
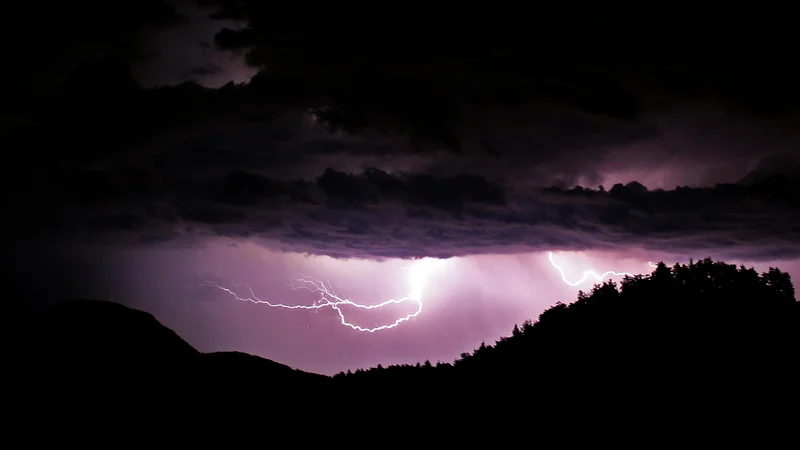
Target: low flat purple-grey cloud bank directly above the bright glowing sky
<point x="376" y="214"/>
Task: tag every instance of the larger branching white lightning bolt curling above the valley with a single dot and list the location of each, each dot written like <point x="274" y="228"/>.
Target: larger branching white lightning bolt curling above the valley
<point x="418" y="272"/>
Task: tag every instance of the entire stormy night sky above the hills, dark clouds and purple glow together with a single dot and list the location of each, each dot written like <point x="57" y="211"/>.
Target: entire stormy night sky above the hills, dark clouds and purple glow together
<point x="155" y="153"/>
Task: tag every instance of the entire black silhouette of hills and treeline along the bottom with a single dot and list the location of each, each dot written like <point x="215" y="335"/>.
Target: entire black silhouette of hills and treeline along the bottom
<point x="676" y="342"/>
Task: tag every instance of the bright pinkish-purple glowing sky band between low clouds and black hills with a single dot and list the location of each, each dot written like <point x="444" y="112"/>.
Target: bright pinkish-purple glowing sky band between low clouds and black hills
<point x="466" y="300"/>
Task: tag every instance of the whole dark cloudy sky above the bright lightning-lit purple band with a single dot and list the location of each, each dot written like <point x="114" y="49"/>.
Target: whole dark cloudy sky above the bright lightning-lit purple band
<point x="395" y="130"/>
